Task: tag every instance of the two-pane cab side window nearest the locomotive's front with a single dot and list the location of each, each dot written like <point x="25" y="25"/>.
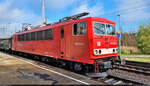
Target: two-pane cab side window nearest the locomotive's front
<point x="79" y="29"/>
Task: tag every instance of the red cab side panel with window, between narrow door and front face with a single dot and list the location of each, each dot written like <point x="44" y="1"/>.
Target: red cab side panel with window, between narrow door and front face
<point x="79" y="42"/>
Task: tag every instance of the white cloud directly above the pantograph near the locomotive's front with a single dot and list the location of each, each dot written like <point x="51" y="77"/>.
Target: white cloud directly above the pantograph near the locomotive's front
<point x="95" y="10"/>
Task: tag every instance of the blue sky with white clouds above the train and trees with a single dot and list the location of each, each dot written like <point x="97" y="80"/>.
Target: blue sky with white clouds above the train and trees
<point x="15" y="12"/>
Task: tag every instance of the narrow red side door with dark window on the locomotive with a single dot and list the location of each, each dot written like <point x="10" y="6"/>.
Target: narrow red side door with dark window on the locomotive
<point x="62" y="43"/>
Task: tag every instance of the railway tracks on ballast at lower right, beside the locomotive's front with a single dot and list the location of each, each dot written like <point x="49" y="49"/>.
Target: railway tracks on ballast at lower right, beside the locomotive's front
<point x="132" y="72"/>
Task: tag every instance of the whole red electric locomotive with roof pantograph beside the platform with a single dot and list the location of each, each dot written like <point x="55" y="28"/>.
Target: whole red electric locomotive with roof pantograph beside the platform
<point x="88" y="44"/>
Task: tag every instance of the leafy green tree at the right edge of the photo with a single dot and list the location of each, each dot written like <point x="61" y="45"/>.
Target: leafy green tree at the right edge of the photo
<point x="143" y="39"/>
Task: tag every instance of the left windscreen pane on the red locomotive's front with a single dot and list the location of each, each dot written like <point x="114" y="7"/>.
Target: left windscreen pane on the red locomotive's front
<point x="99" y="28"/>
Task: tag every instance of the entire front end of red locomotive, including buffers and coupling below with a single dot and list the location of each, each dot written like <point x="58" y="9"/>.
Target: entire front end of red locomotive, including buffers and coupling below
<point x="104" y="43"/>
